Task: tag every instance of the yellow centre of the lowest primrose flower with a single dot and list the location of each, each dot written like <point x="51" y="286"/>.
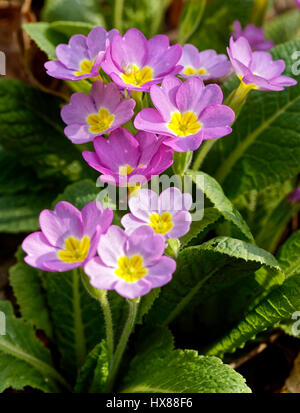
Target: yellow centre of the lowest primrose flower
<point x="131" y="269"/>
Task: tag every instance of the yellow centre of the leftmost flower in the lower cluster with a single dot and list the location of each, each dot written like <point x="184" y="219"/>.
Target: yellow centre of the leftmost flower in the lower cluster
<point x="75" y="250"/>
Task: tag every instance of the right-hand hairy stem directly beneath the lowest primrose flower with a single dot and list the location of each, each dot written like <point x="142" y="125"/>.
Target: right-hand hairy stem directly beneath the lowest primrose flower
<point x="133" y="306"/>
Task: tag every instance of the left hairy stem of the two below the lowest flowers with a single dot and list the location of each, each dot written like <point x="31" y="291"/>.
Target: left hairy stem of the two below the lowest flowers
<point x="101" y="296"/>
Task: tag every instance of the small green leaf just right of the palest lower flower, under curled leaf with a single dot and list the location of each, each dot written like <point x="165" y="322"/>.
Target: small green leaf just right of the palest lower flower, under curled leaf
<point x="210" y="217"/>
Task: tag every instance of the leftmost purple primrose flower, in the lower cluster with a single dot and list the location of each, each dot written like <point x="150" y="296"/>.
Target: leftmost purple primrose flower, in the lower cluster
<point x="68" y="237"/>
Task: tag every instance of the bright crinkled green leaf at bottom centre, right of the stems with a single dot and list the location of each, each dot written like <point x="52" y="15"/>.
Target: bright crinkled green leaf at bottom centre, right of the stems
<point x="164" y="370"/>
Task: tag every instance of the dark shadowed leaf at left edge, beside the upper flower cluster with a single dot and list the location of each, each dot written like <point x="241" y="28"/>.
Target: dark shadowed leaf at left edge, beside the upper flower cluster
<point x="31" y="128"/>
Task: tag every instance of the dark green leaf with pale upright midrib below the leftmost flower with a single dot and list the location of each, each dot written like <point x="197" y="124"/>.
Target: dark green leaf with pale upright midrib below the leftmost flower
<point x="77" y="319"/>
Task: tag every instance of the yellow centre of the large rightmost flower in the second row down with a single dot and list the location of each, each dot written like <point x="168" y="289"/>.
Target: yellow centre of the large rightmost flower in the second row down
<point x="184" y="124"/>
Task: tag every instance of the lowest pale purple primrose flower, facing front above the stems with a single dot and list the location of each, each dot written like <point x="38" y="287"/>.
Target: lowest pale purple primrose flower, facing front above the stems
<point x="130" y="264"/>
